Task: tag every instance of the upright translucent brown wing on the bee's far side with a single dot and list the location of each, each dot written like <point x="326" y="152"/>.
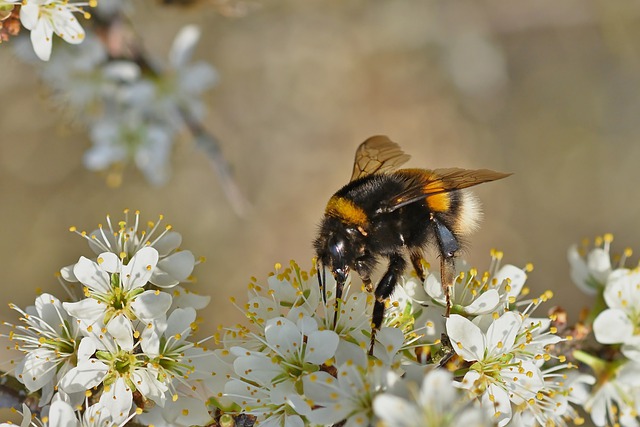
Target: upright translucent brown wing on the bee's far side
<point x="377" y="154"/>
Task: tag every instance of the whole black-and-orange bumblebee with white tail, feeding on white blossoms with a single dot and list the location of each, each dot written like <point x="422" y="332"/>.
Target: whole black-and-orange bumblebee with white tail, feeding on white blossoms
<point x="389" y="213"/>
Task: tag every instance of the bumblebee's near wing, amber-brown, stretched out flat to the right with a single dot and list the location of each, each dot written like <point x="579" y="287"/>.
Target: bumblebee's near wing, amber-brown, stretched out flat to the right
<point x="439" y="181"/>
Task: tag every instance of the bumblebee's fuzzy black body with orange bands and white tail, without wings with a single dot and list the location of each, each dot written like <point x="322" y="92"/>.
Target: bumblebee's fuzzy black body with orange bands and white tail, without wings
<point x="412" y="227"/>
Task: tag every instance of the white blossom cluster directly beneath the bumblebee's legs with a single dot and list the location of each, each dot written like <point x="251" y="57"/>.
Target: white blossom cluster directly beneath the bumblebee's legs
<point x="301" y="360"/>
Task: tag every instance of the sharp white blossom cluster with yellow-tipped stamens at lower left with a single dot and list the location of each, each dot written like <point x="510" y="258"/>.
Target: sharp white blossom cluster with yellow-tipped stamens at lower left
<point x="125" y="340"/>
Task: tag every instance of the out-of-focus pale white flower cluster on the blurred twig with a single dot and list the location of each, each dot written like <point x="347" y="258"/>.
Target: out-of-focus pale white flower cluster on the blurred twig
<point x="133" y="111"/>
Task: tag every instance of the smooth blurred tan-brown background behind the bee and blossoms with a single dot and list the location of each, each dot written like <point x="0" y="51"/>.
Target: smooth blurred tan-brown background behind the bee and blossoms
<point x="547" y="90"/>
